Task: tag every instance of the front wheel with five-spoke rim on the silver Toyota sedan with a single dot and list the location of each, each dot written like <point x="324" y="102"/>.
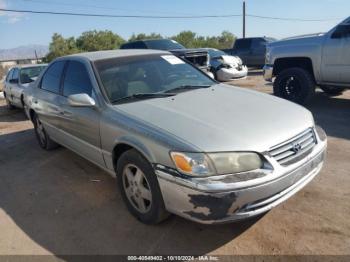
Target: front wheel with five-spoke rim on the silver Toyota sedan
<point x="147" y="207"/>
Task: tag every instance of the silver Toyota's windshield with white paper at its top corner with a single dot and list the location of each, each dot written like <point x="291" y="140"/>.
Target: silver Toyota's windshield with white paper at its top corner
<point x="148" y="74"/>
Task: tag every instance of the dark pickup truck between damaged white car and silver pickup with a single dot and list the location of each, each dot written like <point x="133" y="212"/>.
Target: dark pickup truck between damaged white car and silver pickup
<point x="251" y="50"/>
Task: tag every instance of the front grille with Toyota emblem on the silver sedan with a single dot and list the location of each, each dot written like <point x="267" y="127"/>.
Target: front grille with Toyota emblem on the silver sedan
<point x="294" y="149"/>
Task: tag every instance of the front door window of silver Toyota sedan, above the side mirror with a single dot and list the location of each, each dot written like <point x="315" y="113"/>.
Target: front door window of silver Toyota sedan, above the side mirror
<point x="77" y="80"/>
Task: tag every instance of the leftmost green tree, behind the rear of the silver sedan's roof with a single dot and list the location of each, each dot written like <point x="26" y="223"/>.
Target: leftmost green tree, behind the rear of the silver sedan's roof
<point x="61" y="46"/>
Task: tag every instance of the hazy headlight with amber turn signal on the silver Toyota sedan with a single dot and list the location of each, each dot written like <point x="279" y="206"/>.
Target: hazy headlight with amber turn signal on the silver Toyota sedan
<point x="200" y="164"/>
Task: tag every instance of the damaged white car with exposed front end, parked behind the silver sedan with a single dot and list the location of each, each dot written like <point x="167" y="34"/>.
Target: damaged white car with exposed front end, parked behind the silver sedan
<point x="226" y="67"/>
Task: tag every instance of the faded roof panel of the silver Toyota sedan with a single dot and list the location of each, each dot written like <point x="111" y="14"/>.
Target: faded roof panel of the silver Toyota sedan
<point x="100" y="55"/>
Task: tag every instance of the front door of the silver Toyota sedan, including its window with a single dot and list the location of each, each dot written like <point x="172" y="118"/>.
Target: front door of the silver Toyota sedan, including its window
<point x="81" y="125"/>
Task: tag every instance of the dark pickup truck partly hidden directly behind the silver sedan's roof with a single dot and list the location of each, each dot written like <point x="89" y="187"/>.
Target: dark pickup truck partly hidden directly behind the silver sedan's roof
<point x="198" y="57"/>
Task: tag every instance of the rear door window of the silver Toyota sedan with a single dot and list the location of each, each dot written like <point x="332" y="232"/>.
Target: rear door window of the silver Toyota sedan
<point x="52" y="78"/>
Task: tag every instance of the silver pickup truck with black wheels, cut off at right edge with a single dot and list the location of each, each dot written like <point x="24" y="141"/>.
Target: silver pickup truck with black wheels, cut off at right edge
<point x="300" y="64"/>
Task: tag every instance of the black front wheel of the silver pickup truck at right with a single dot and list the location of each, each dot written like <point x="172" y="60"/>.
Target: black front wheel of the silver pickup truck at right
<point x="294" y="84"/>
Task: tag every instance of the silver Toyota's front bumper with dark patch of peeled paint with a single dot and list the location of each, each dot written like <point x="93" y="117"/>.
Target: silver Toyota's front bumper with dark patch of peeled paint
<point x="212" y="200"/>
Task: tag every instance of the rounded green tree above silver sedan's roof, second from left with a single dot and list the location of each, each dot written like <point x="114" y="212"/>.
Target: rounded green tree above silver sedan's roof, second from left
<point x="99" y="40"/>
